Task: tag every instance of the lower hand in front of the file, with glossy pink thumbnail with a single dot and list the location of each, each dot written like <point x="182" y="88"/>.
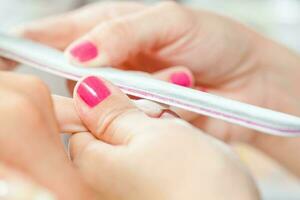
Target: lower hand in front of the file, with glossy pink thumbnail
<point x="129" y="155"/>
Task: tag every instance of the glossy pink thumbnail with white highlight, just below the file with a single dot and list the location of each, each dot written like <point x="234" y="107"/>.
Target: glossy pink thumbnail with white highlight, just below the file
<point x="92" y="91"/>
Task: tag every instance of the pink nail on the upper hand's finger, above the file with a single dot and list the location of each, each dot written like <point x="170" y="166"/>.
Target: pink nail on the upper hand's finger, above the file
<point x="84" y="51"/>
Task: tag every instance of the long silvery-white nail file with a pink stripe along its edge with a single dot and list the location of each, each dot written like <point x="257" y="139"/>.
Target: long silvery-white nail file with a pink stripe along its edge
<point x="53" y="61"/>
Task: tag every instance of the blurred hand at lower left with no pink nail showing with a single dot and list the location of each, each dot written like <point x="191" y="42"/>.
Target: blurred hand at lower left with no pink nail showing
<point x="29" y="138"/>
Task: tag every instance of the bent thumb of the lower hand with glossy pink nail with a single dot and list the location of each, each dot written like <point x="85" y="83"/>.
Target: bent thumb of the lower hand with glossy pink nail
<point x="106" y="111"/>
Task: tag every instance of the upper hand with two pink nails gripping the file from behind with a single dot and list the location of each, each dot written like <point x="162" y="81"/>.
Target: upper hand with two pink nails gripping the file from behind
<point x="221" y="53"/>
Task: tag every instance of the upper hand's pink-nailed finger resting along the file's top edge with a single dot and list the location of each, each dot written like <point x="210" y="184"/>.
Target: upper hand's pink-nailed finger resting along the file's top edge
<point x="116" y="41"/>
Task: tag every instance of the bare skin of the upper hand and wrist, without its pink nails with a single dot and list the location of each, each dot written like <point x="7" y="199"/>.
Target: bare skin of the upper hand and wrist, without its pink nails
<point x="225" y="58"/>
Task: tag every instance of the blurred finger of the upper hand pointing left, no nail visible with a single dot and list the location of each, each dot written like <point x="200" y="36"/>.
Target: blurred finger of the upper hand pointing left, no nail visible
<point x="59" y="31"/>
